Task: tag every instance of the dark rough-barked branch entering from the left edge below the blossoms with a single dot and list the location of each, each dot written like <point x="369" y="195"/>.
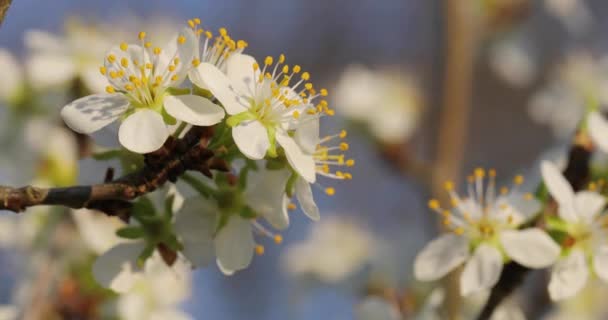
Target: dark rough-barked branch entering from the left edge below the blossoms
<point x="112" y="197"/>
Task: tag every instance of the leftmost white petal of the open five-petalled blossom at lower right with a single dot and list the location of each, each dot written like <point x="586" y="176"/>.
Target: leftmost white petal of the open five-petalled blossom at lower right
<point x="441" y="256"/>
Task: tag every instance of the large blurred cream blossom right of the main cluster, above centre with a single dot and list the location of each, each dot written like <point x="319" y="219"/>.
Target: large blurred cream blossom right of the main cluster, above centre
<point x="386" y="101"/>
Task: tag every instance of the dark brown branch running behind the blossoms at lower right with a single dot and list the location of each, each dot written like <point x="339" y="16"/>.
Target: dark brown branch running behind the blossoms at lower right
<point x="577" y="173"/>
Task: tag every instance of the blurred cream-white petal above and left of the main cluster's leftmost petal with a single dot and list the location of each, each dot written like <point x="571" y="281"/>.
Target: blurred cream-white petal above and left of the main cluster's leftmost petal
<point x="45" y="71"/>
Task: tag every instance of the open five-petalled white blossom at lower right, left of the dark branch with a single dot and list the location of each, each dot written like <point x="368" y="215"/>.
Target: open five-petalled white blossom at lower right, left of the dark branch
<point x="484" y="234"/>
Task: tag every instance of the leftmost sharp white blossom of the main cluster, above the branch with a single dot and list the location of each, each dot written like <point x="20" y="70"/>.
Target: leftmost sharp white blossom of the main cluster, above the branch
<point x="140" y="77"/>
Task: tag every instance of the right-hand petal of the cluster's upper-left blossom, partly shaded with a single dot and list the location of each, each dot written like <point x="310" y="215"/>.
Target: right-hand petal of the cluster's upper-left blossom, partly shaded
<point x="194" y="110"/>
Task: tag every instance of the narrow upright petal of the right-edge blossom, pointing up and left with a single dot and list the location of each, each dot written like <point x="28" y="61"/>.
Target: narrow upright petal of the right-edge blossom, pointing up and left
<point x="560" y="189"/>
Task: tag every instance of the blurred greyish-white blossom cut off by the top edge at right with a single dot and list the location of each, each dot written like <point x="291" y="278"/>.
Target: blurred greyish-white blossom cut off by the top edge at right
<point x="574" y="14"/>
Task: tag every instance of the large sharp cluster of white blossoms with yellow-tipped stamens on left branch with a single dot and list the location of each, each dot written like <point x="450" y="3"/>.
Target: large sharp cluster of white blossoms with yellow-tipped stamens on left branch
<point x="265" y="117"/>
